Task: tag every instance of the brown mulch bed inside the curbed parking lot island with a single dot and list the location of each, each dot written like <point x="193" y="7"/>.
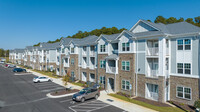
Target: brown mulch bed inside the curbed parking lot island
<point x="63" y="92"/>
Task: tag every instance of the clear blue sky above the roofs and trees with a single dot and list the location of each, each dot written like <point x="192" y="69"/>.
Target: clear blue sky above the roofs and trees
<point x="27" y="22"/>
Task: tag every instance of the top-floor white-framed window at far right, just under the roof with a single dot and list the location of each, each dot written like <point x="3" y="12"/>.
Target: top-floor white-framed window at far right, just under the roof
<point x="184" y="44"/>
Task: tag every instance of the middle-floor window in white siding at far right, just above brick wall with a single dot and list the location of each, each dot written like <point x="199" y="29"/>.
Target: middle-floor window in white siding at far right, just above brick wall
<point x="184" y="68"/>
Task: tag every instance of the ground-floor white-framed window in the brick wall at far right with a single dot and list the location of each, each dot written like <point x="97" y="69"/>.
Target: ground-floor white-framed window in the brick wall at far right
<point x="183" y="92"/>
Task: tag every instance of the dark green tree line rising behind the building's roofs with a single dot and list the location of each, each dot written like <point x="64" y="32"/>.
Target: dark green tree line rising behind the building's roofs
<point x="114" y="30"/>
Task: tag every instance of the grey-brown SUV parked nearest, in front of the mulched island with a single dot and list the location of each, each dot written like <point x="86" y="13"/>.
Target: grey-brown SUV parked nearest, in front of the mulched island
<point x="86" y="93"/>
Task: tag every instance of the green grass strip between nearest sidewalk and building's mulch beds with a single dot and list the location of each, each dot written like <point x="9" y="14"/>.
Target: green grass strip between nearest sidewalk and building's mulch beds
<point x="157" y="108"/>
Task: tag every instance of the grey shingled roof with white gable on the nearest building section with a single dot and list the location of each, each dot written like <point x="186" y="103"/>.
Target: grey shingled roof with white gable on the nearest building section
<point x="169" y="29"/>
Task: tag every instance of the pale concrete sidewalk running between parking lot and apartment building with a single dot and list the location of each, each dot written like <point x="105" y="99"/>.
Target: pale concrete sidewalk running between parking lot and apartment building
<point x="127" y="106"/>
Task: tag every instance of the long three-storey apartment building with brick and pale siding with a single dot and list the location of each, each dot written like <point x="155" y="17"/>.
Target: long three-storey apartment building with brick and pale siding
<point x="151" y="60"/>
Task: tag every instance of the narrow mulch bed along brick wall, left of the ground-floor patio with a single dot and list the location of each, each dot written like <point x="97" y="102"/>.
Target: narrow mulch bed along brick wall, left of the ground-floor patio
<point x="155" y="103"/>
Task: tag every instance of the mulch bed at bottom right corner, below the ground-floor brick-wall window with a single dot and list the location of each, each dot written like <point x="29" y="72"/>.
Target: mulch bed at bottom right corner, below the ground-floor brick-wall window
<point x="184" y="107"/>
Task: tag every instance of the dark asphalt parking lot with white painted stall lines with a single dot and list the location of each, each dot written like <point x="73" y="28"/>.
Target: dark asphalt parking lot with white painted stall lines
<point x="19" y="94"/>
